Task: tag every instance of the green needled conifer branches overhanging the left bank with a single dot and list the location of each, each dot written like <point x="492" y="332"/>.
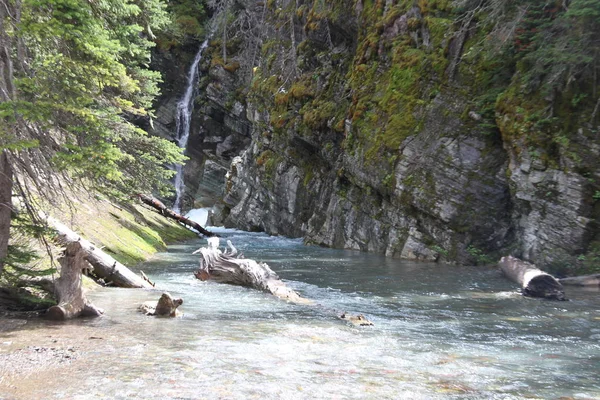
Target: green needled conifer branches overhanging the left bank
<point x="73" y="74"/>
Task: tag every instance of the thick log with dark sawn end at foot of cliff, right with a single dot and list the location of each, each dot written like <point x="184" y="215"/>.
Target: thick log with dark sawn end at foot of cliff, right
<point x="534" y="282"/>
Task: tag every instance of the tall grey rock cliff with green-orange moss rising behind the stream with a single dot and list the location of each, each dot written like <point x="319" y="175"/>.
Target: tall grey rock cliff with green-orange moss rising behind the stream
<point x="414" y="129"/>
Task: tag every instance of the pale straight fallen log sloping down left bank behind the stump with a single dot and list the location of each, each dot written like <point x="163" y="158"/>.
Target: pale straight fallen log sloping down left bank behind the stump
<point x="105" y="267"/>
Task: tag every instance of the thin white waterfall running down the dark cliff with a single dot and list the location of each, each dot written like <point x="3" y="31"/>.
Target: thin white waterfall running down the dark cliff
<point x="185" y="107"/>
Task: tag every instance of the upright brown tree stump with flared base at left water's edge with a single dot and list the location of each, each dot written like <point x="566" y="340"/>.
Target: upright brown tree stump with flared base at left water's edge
<point x="71" y="300"/>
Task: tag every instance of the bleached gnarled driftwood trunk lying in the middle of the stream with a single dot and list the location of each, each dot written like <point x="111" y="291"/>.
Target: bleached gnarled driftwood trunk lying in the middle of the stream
<point x="231" y="268"/>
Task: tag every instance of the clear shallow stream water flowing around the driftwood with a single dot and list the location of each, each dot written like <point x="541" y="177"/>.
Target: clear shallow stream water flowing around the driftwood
<point x="440" y="332"/>
